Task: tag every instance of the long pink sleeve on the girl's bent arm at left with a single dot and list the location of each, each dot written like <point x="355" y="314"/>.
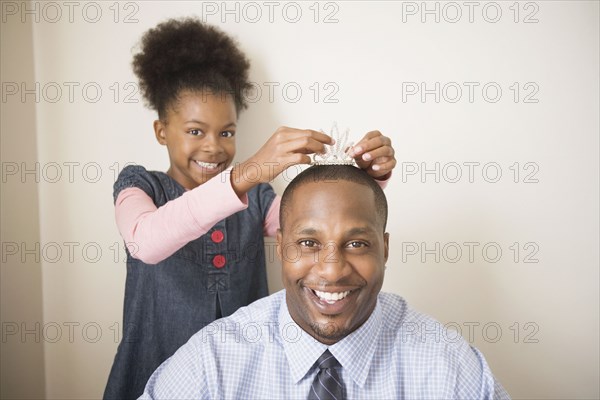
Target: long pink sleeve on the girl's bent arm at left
<point x="152" y="234"/>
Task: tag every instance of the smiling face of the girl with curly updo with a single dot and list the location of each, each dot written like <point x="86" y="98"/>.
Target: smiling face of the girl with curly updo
<point x="200" y="136"/>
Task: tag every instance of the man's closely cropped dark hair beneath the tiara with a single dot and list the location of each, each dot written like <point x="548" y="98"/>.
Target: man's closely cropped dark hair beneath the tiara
<point x="328" y="175"/>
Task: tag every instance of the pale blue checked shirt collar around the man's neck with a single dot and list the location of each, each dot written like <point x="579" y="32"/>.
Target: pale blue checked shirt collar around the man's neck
<point x="354" y="352"/>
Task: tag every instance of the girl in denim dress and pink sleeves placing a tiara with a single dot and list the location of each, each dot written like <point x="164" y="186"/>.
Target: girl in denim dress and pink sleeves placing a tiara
<point x="195" y="233"/>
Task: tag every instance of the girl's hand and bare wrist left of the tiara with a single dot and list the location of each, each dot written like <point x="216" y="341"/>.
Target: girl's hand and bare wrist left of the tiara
<point x="287" y="147"/>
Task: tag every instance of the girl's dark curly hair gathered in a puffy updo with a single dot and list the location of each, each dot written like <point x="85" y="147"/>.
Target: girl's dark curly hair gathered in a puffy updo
<point x="188" y="55"/>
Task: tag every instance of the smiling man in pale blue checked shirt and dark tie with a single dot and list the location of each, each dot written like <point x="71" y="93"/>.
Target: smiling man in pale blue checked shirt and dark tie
<point x="330" y="333"/>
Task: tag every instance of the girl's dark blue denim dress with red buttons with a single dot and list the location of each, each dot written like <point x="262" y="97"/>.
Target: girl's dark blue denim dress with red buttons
<point x="209" y="278"/>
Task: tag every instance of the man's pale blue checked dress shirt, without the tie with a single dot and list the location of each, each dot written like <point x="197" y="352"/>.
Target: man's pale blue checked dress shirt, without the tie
<point x="259" y="352"/>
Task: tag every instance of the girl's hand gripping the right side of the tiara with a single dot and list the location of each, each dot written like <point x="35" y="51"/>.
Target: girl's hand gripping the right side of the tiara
<point x="374" y="154"/>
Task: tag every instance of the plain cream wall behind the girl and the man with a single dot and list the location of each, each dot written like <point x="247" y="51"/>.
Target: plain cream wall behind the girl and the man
<point x="493" y="205"/>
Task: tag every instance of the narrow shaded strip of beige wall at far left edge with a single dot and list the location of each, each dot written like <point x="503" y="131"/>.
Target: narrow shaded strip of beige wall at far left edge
<point x="22" y="347"/>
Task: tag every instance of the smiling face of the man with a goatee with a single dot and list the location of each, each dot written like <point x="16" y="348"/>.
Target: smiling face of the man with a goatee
<point x="333" y="252"/>
